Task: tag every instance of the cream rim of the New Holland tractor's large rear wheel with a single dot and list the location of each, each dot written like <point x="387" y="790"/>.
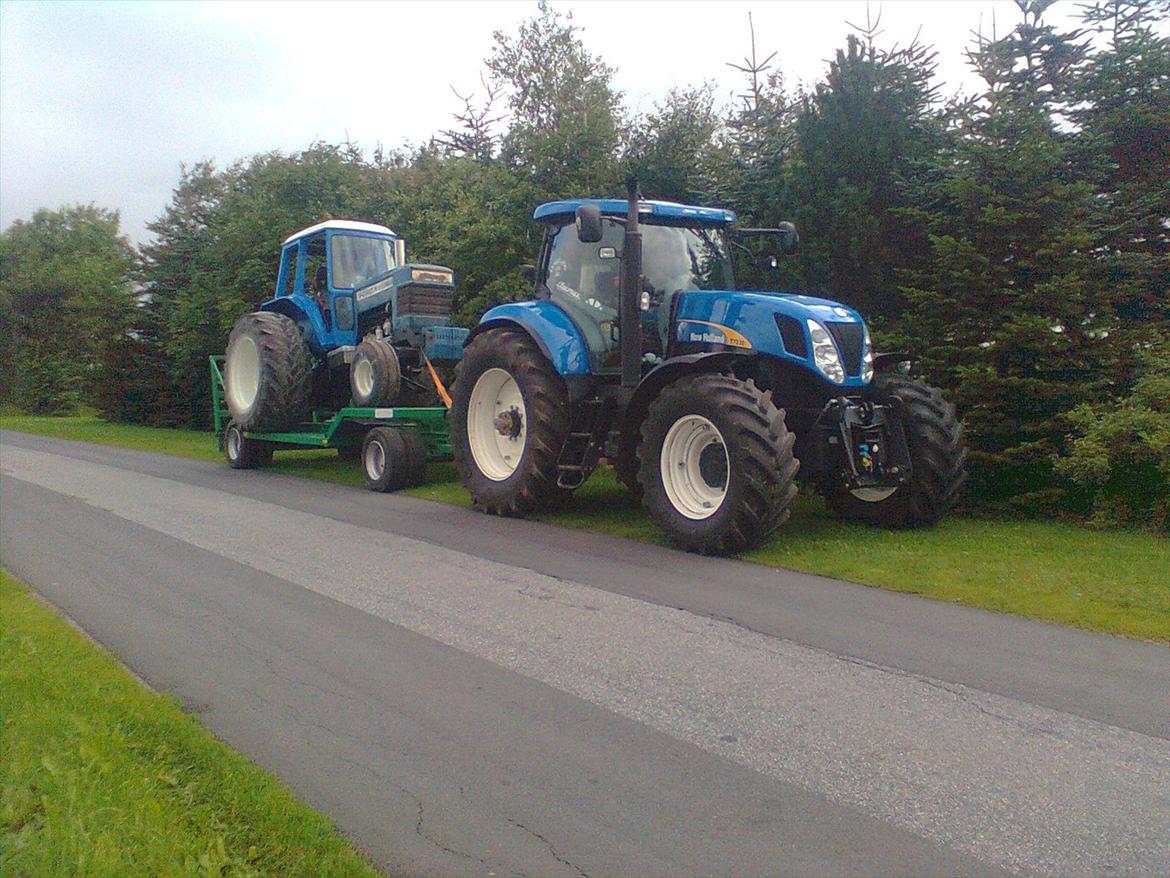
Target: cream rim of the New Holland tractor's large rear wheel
<point x="497" y="448"/>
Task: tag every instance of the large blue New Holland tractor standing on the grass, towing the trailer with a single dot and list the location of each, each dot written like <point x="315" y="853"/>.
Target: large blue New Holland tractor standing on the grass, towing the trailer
<point x="711" y="402"/>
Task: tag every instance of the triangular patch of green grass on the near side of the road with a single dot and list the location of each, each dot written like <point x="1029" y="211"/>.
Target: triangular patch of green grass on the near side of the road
<point x="100" y="777"/>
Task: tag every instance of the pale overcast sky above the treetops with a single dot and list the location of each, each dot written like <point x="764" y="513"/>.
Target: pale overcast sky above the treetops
<point x="101" y="102"/>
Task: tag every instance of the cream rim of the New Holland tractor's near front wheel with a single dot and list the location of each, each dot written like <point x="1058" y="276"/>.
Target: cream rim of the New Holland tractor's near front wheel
<point x="682" y="465"/>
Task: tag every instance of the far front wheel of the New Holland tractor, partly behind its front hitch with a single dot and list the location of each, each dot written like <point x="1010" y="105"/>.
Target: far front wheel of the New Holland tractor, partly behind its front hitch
<point x="938" y="458"/>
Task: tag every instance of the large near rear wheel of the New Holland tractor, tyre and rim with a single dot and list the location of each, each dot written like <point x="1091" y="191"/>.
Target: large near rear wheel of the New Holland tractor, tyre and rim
<point x="510" y="417"/>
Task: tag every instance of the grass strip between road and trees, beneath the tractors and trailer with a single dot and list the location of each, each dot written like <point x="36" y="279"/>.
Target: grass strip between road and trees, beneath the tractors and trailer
<point x="1110" y="581"/>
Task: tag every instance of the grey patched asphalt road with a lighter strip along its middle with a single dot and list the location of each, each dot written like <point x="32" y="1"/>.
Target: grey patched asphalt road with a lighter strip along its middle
<point x="474" y="696"/>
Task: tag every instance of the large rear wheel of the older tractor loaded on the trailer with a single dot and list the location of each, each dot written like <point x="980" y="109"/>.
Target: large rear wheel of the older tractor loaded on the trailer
<point x="269" y="373"/>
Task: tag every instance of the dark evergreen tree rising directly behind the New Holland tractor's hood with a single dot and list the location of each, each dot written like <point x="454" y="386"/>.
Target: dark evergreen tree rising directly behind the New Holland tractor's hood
<point x="871" y="126"/>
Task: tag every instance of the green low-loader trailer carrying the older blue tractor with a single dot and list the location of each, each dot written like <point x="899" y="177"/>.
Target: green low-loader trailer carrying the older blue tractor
<point x="394" y="444"/>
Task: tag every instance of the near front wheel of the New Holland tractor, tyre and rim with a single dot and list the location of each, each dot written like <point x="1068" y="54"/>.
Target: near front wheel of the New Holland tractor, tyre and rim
<point x="718" y="469"/>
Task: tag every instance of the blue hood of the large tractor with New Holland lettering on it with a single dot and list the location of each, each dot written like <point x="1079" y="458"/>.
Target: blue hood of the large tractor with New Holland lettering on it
<point x="780" y="325"/>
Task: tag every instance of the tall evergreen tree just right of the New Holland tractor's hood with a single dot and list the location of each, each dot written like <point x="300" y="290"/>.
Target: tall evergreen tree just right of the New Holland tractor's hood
<point x="1002" y="313"/>
